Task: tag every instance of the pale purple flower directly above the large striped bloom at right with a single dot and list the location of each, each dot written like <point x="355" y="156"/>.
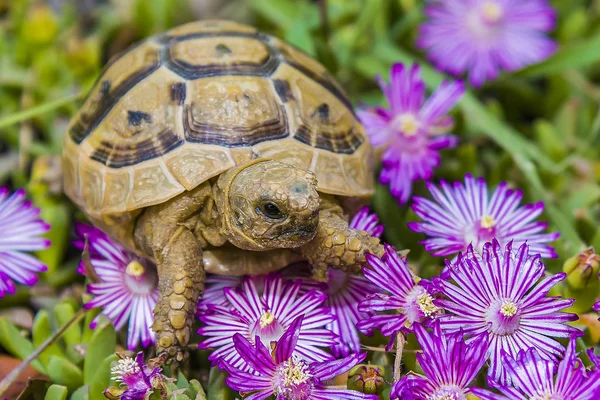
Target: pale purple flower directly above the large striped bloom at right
<point x="464" y="215"/>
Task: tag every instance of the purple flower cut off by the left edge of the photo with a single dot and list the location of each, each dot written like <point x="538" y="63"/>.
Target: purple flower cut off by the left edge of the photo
<point x="21" y="232"/>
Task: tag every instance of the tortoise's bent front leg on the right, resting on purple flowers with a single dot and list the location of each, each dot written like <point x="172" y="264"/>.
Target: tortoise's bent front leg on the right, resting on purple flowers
<point x="336" y="245"/>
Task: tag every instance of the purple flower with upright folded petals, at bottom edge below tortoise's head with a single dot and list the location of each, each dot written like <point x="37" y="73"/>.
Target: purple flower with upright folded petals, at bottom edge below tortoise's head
<point x="284" y="374"/>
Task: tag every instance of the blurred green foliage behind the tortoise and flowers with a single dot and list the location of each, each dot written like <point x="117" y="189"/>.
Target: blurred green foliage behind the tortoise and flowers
<point x="538" y="128"/>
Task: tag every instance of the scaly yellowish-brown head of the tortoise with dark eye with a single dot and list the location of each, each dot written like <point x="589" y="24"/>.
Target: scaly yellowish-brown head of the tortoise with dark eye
<point x="268" y="205"/>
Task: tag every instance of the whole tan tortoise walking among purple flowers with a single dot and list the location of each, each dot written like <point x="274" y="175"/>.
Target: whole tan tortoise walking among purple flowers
<point x="216" y="148"/>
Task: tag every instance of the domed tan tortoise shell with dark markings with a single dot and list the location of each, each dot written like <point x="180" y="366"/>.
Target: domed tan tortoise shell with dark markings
<point x="185" y="106"/>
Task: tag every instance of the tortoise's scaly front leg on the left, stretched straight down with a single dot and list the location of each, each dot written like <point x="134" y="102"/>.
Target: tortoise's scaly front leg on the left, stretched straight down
<point x="161" y="233"/>
